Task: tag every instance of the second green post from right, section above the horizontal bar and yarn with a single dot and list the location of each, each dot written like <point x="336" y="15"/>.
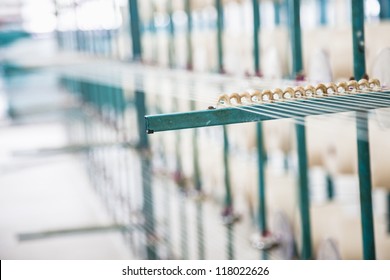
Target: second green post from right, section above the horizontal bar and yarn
<point x="295" y="37"/>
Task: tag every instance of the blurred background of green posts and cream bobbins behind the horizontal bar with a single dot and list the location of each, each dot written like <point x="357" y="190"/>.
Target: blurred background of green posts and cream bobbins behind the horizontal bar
<point x="81" y="179"/>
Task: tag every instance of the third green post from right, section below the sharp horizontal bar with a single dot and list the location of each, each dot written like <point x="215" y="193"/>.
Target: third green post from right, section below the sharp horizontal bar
<point x="262" y="213"/>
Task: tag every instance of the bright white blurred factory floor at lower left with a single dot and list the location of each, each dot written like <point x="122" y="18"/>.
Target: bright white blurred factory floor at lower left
<point x="48" y="210"/>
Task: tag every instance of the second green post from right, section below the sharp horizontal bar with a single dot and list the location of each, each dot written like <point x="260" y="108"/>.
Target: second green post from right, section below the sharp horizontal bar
<point x="304" y="202"/>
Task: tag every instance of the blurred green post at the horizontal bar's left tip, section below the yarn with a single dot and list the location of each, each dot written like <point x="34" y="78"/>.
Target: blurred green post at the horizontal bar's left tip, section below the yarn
<point x="144" y="151"/>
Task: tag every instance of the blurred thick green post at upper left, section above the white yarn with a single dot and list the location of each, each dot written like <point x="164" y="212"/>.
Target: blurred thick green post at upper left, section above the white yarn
<point x="135" y="30"/>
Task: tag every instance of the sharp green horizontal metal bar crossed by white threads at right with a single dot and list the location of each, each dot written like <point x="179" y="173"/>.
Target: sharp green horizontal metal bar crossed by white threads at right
<point x="253" y="113"/>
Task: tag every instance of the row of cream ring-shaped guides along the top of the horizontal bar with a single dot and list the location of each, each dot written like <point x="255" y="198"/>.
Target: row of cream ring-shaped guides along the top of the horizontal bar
<point x="320" y="90"/>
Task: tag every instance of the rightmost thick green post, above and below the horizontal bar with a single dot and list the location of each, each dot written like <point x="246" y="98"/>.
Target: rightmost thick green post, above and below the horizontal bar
<point x="364" y="170"/>
